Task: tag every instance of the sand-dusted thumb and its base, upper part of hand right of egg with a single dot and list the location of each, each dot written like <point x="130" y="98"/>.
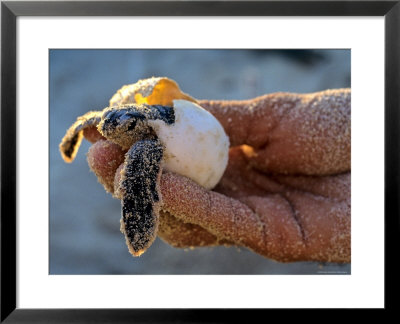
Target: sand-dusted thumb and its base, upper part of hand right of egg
<point x="291" y="133"/>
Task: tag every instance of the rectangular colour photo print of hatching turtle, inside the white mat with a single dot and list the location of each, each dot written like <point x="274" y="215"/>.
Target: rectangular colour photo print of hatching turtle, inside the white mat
<point x="199" y="161"/>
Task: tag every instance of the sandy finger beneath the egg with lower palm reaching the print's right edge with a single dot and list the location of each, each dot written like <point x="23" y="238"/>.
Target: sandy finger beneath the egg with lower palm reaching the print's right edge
<point x="290" y="228"/>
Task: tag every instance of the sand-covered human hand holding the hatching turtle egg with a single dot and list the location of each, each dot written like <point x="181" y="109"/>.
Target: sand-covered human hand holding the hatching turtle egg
<point x="286" y="191"/>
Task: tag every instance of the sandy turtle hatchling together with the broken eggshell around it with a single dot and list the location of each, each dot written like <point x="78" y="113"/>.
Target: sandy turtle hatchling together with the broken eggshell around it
<point x="161" y="128"/>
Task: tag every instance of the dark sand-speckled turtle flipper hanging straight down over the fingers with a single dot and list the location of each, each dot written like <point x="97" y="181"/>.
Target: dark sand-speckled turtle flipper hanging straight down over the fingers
<point x="139" y="186"/>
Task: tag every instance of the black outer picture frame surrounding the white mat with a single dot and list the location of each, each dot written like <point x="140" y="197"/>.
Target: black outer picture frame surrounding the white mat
<point x="11" y="10"/>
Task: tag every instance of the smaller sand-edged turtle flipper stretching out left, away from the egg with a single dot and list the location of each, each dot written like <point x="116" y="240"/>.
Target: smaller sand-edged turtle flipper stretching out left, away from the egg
<point x="72" y="140"/>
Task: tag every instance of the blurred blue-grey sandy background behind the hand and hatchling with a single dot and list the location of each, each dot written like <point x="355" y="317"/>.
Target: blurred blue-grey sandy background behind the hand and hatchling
<point x="84" y="219"/>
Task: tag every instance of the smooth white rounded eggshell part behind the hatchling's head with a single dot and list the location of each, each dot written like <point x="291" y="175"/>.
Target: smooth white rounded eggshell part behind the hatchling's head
<point x="196" y="145"/>
